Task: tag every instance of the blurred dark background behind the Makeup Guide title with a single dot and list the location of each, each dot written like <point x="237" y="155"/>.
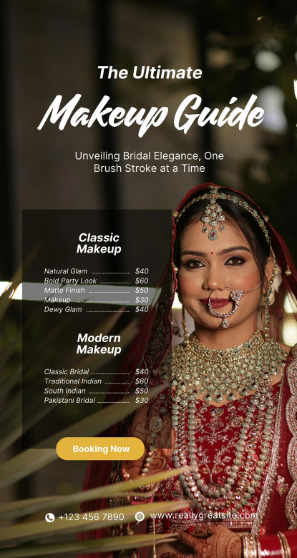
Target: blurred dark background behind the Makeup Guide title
<point x="54" y="47"/>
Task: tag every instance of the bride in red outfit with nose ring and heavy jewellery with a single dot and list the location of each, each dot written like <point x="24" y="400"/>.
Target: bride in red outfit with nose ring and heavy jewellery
<point x="230" y="410"/>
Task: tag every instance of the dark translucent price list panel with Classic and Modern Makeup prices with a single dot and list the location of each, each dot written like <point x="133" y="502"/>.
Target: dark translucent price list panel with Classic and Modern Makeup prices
<point x="86" y="289"/>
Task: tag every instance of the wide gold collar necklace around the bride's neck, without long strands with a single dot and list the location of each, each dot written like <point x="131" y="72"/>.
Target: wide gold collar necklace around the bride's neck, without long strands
<point x="234" y="372"/>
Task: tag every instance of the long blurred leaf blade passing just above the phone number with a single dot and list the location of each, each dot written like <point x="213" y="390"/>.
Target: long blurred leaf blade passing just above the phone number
<point x="13" y="510"/>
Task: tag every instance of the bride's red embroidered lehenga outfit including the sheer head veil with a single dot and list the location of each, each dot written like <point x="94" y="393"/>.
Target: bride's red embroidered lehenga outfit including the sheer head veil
<point x="243" y="453"/>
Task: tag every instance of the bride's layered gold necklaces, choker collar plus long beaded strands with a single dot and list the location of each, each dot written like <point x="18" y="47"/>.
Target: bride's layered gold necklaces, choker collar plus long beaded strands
<point x="197" y="370"/>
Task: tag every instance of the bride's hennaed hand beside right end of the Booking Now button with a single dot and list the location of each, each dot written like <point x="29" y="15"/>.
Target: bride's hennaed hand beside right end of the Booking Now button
<point x="164" y="442"/>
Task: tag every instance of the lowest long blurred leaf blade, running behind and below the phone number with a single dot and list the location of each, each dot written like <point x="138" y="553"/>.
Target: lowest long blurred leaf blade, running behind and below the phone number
<point x="38" y="529"/>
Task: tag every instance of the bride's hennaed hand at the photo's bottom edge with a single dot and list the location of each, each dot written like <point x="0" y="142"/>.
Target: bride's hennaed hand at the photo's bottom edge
<point x="209" y="542"/>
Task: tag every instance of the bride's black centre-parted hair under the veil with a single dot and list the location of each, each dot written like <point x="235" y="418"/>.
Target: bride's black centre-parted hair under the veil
<point x="245" y="221"/>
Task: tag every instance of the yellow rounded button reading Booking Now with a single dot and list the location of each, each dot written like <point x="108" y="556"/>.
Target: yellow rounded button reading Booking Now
<point x="80" y="449"/>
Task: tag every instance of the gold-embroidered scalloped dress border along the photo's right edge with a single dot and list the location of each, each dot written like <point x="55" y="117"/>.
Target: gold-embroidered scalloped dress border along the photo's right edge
<point x="291" y="410"/>
